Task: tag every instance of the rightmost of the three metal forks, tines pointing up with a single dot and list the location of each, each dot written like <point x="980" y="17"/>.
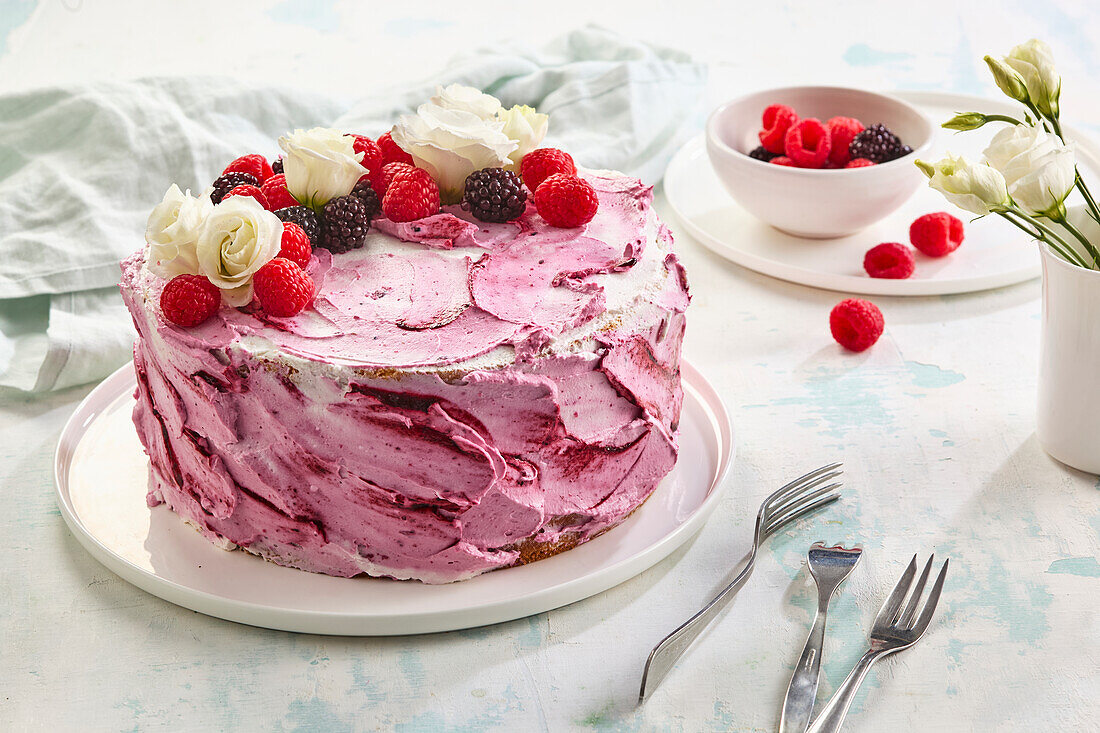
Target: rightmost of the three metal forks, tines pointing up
<point x="896" y="629"/>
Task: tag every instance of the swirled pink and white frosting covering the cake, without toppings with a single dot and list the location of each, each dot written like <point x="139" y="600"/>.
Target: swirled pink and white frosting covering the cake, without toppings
<point x="461" y="397"/>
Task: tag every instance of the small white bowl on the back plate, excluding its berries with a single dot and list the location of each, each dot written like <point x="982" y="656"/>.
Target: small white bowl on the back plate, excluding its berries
<point x="818" y="204"/>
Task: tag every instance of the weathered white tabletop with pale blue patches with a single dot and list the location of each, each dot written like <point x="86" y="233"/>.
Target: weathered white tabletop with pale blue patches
<point x="936" y="425"/>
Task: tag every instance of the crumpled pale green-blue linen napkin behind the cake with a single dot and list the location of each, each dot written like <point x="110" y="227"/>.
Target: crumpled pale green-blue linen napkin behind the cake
<point x="81" y="168"/>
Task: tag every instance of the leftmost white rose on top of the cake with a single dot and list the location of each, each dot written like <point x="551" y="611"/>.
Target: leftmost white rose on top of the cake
<point x="173" y="229"/>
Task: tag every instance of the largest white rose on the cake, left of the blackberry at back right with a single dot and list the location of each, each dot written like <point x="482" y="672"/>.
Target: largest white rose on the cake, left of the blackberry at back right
<point x="450" y="145"/>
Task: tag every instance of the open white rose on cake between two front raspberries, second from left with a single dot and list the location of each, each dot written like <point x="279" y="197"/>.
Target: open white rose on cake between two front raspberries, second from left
<point x="239" y="238"/>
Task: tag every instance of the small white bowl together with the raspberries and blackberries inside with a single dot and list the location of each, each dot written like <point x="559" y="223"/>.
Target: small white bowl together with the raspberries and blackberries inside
<point x="819" y="162"/>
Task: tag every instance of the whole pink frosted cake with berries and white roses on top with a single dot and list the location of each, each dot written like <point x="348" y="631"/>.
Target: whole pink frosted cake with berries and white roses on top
<point x="454" y="396"/>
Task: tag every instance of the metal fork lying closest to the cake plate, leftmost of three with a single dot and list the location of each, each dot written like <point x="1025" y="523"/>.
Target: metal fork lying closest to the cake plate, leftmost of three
<point x="802" y="496"/>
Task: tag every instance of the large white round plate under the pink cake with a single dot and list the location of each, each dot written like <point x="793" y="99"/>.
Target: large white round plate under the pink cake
<point x="102" y="475"/>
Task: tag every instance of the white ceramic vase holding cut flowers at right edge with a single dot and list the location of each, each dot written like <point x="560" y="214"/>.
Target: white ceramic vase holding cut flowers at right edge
<point x="1069" y="412"/>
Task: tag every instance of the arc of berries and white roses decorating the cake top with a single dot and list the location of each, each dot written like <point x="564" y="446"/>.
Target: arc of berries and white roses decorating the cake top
<point x="252" y="233"/>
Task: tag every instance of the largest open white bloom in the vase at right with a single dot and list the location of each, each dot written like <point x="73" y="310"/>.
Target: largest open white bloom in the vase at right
<point x="1039" y="169"/>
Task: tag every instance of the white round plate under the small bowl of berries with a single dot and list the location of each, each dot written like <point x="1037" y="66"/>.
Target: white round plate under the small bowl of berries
<point x="995" y="254"/>
